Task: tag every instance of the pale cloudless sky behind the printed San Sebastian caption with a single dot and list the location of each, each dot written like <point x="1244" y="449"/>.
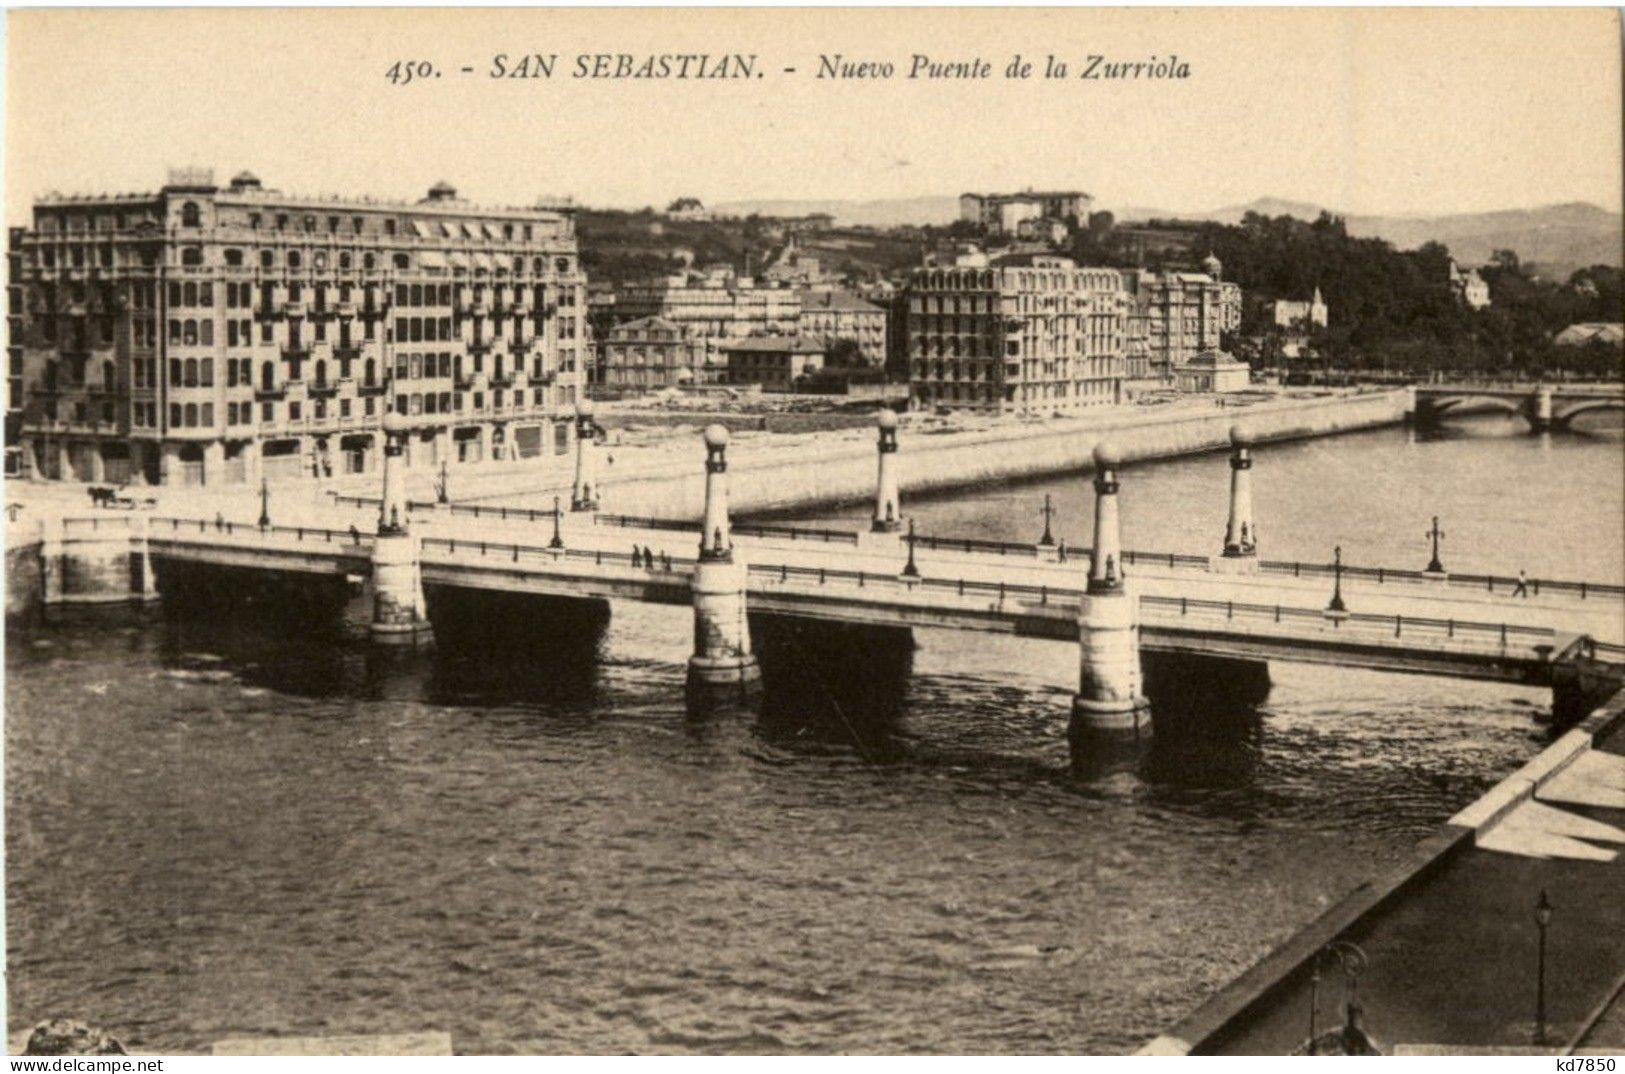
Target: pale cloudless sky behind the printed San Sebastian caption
<point x="1366" y="111"/>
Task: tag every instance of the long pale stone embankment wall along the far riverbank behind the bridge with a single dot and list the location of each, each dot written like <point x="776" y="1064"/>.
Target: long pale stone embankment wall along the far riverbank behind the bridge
<point x="774" y="482"/>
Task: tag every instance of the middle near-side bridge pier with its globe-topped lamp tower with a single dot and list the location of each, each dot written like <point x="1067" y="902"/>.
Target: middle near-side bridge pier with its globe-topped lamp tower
<point x="722" y="669"/>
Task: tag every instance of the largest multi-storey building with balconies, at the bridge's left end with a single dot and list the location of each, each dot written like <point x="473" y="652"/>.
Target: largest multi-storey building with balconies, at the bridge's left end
<point x="207" y="336"/>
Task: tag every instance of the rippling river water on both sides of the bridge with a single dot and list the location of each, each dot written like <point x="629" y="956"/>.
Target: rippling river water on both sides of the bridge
<point x="235" y="821"/>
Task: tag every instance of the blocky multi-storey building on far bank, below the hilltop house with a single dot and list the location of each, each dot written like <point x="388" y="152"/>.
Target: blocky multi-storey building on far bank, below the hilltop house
<point x="1023" y="336"/>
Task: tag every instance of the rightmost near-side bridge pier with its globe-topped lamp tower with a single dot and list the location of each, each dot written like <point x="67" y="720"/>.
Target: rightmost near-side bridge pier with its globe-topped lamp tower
<point x="1111" y="693"/>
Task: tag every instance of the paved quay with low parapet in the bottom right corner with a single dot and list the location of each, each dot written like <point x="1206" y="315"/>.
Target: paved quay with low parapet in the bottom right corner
<point x="1452" y="938"/>
